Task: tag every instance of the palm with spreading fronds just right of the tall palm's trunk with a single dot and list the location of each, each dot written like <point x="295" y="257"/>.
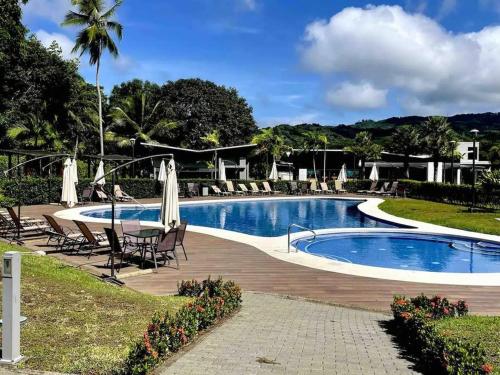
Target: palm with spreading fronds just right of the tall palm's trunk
<point x="135" y="118"/>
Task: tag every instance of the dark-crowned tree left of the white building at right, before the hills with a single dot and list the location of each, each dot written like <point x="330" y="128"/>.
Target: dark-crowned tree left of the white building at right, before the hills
<point x="437" y="134"/>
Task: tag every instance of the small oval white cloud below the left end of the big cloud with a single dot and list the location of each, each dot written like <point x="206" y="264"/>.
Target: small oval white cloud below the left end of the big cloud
<point x="356" y="96"/>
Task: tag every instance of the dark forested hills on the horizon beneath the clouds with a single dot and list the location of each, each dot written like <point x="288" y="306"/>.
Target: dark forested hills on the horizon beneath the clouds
<point x="488" y="125"/>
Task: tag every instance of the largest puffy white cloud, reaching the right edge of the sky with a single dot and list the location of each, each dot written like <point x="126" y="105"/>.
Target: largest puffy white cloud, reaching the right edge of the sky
<point x="427" y="66"/>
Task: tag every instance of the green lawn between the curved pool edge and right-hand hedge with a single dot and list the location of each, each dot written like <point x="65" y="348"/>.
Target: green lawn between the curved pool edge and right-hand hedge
<point x="443" y="214"/>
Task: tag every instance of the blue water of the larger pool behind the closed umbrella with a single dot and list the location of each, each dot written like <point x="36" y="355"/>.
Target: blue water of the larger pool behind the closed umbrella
<point x="265" y="218"/>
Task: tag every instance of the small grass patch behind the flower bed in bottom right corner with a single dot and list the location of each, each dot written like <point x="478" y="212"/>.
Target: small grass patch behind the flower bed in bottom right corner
<point x="476" y="329"/>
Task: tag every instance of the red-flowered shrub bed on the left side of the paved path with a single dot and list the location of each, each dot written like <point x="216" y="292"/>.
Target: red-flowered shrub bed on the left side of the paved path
<point x="214" y="300"/>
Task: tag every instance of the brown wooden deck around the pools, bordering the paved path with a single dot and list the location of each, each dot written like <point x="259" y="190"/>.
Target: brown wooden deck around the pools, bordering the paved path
<point x="257" y="271"/>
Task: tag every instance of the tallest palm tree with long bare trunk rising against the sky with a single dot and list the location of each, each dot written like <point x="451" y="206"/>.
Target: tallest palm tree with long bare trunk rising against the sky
<point x="95" y="38"/>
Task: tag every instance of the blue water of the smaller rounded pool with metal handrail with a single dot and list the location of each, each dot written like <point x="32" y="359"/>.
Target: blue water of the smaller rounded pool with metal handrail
<point x="407" y="251"/>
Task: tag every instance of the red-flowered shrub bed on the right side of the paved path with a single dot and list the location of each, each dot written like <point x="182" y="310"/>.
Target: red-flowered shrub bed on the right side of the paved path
<point x="439" y="354"/>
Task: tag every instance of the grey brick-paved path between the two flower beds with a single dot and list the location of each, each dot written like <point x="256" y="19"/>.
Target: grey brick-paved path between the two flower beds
<point x="276" y="335"/>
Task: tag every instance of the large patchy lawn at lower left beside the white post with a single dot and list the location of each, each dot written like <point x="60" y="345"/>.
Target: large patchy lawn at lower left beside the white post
<point x="77" y="323"/>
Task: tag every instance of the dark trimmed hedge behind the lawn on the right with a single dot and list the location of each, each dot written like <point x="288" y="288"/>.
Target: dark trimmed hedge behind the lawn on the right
<point x="454" y="194"/>
